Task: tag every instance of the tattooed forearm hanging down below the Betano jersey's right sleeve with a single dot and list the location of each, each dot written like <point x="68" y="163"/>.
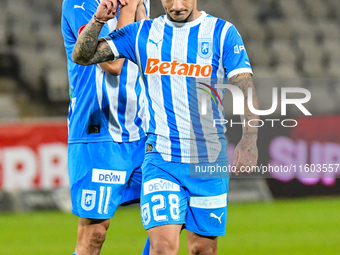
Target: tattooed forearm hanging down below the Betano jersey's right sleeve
<point x="244" y="81"/>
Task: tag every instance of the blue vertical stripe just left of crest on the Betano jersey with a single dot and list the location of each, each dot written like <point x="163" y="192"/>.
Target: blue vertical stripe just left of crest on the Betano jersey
<point x="192" y="90"/>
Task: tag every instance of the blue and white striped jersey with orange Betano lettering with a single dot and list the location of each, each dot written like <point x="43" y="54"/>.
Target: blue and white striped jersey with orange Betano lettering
<point x="170" y="56"/>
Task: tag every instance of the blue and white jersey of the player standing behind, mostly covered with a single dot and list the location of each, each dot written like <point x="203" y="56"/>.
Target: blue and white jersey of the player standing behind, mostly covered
<point x="102" y="107"/>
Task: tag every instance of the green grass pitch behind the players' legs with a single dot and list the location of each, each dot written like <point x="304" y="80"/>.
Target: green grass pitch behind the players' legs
<point x="303" y="226"/>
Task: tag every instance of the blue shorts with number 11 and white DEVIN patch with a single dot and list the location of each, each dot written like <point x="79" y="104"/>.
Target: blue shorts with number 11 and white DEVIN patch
<point x="104" y="175"/>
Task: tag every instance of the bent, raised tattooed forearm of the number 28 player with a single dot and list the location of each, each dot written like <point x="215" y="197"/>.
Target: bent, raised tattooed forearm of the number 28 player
<point x="88" y="49"/>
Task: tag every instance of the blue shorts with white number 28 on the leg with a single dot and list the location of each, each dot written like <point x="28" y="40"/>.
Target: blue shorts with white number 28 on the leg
<point x="170" y="196"/>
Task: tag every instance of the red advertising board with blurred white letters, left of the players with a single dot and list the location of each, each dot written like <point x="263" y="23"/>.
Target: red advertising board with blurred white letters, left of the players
<point x="33" y="155"/>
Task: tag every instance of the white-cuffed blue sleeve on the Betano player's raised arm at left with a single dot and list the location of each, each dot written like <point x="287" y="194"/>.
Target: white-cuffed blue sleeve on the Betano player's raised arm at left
<point x="123" y="41"/>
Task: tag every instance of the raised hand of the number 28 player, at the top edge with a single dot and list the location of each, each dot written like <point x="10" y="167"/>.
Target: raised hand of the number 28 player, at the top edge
<point x="108" y="9"/>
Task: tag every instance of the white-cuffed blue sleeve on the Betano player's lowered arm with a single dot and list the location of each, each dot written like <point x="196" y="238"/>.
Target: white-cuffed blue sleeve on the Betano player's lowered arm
<point x="235" y="57"/>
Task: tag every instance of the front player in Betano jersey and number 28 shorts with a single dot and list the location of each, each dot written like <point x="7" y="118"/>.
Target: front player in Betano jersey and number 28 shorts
<point x="173" y="52"/>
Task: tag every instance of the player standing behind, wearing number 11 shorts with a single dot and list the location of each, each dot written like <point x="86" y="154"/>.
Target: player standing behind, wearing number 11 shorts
<point x="106" y="134"/>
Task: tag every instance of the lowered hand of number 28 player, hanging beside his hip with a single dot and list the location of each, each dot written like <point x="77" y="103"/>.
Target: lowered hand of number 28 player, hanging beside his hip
<point x="245" y="155"/>
